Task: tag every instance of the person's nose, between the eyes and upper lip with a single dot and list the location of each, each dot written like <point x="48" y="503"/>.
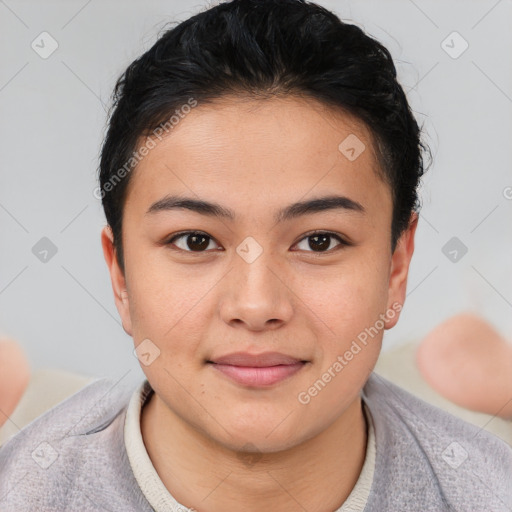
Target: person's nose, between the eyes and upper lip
<point x="255" y="295"/>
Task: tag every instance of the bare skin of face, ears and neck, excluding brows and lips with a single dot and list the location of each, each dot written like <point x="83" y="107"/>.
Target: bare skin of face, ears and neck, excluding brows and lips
<point x="293" y="299"/>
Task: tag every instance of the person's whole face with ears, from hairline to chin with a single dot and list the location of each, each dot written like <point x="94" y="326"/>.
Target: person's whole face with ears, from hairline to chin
<point x="315" y="283"/>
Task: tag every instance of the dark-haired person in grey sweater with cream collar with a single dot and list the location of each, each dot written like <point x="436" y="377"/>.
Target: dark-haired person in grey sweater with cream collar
<point x="259" y="179"/>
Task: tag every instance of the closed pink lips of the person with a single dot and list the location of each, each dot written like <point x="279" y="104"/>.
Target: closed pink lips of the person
<point x="256" y="370"/>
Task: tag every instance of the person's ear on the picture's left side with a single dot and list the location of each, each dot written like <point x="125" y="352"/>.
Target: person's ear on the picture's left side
<point x="117" y="278"/>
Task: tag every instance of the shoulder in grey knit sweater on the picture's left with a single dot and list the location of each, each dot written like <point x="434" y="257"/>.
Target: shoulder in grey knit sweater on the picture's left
<point x="70" y="445"/>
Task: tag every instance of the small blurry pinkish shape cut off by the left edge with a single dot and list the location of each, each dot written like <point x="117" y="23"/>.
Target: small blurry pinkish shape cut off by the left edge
<point x="14" y="377"/>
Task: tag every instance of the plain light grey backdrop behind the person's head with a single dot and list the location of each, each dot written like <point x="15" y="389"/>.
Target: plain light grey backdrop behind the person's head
<point x="52" y="124"/>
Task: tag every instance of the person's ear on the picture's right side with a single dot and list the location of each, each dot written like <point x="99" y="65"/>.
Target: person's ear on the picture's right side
<point x="400" y="270"/>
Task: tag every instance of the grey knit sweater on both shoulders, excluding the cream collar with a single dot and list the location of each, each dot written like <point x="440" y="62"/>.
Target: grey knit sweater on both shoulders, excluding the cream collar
<point x="74" y="457"/>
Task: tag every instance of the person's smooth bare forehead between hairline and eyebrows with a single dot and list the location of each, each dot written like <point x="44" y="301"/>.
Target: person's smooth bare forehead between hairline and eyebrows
<point x="252" y="152"/>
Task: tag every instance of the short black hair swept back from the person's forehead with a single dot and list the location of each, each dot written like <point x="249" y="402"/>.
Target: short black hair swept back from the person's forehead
<point x="260" y="49"/>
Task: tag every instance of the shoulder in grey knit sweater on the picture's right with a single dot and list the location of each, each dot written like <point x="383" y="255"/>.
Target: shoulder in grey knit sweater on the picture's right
<point x="424" y="449"/>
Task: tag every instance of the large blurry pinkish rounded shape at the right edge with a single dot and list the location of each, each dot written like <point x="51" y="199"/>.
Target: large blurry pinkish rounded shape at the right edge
<point x="468" y="362"/>
